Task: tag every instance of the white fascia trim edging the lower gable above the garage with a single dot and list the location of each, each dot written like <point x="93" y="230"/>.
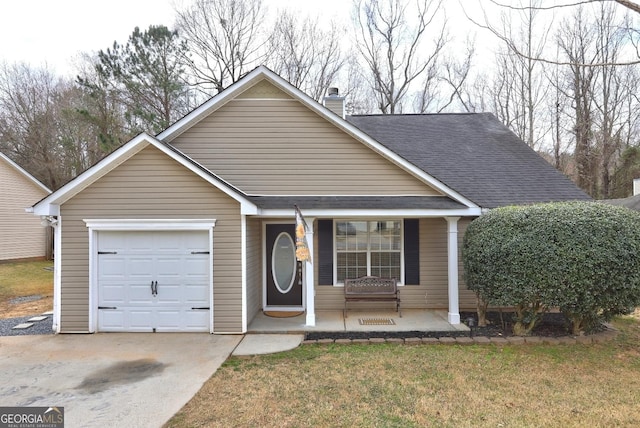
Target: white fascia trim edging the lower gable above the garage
<point x="50" y="204"/>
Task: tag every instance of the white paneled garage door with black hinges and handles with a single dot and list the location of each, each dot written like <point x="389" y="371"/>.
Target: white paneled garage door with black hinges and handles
<point x="153" y="281"/>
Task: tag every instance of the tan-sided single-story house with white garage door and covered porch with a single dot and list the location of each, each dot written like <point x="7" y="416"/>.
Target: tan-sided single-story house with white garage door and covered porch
<point x="194" y="229"/>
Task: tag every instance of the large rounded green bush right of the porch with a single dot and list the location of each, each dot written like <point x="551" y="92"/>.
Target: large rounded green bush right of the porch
<point x="581" y="257"/>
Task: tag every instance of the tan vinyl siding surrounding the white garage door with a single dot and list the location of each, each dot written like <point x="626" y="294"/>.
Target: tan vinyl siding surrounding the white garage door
<point x="151" y="185"/>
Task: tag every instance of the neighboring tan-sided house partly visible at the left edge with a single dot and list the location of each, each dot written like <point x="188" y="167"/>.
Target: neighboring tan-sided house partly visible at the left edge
<point x="22" y="236"/>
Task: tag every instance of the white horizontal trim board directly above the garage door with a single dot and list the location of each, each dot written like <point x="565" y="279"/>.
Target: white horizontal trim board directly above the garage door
<point x="150" y="224"/>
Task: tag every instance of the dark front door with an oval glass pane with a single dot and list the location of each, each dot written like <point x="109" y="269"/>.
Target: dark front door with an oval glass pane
<point x="284" y="277"/>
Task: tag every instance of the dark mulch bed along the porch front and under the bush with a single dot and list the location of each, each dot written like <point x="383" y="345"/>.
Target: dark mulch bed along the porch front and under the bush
<point x="498" y="325"/>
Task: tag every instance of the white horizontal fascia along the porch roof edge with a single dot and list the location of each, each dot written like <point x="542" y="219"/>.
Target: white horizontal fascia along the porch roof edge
<point x="399" y="212"/>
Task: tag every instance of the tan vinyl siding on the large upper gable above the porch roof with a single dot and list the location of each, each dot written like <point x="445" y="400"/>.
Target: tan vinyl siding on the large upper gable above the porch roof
<point x="280" y="147"/>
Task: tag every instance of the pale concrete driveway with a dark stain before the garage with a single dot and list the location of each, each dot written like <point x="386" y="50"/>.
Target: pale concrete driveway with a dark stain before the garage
<point x="110" y="379"/>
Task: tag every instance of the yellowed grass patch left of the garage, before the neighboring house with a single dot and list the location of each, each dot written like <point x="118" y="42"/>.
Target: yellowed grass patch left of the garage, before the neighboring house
<point x="26" y="288"/>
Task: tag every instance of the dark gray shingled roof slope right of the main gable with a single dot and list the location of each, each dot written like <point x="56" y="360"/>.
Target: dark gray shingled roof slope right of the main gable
<point x="474" y="154"/>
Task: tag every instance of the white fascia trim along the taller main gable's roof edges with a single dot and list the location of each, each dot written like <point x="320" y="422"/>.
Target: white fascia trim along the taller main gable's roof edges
<point x="262" y="71"/>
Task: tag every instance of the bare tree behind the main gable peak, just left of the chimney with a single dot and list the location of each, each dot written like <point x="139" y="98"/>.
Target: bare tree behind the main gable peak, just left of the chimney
<point x="305" y="54"/>
